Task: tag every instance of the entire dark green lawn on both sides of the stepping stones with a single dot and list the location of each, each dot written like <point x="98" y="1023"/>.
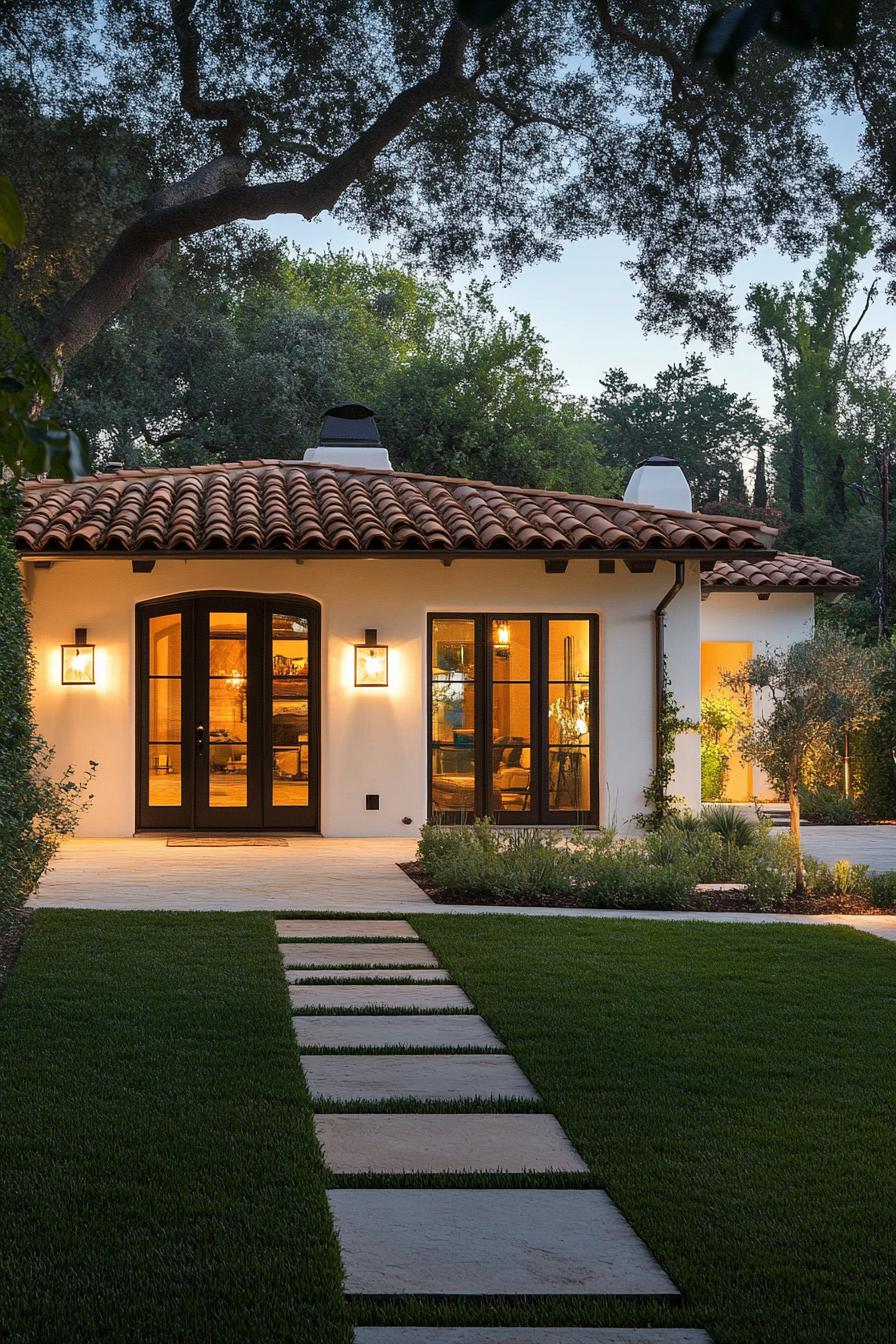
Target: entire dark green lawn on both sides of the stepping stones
<point x="731" y="1087"/>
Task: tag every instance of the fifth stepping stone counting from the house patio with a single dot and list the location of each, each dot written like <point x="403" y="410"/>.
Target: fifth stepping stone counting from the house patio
<point x="464" y="1030"/>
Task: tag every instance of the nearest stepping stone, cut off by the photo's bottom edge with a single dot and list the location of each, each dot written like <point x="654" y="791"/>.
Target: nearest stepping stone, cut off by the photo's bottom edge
<point x="526" y="1335"/>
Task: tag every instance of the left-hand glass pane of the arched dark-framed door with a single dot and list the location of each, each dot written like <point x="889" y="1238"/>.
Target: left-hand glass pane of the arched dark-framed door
<point x="165" y="734"/>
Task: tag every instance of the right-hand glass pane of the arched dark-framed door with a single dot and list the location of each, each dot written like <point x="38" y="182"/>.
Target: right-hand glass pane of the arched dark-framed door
<point x="291" y="741"/>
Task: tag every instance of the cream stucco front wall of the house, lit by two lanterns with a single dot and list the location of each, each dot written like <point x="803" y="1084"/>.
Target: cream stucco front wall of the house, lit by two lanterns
<point x="373" y="741"/>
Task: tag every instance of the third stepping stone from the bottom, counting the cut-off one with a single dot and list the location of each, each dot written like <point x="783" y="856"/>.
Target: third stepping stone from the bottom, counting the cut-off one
<point x="393" y="1144"/>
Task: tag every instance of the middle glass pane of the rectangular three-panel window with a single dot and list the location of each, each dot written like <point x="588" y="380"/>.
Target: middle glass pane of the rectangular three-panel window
<point x="511" y="716"/>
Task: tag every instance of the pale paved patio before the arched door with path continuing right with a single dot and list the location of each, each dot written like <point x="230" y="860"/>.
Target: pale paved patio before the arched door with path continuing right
<point x="353" y="877"/>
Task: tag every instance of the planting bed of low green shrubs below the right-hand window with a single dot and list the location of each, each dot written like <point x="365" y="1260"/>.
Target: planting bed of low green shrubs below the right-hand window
<point x="719" y="862"/>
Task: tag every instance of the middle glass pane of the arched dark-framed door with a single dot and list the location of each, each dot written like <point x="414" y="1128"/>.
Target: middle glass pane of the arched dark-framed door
<point x="228" y="721"/>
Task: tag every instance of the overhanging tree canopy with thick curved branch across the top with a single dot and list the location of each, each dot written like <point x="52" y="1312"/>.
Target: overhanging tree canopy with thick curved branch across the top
<point x="557" y="122"/>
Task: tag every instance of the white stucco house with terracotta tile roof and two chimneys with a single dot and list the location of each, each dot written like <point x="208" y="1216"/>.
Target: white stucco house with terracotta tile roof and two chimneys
<point x="338" y="647"/>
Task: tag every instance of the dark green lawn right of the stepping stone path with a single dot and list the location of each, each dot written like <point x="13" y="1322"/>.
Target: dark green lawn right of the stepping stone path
<point x="734" y="1091"/>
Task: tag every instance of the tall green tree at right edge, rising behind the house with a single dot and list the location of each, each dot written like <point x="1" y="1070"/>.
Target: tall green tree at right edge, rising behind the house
<point x="835" y="419"/>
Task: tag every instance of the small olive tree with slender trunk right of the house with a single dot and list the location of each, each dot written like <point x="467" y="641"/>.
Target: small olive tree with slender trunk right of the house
<point x="811" y="694"/>
